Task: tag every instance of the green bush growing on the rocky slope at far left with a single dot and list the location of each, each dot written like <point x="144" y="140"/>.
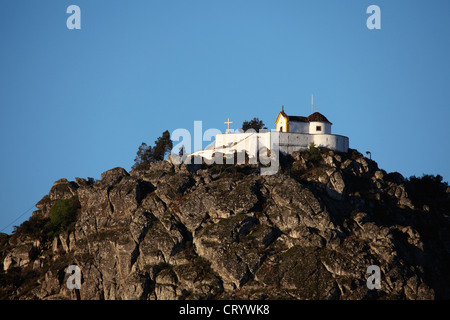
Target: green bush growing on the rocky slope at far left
<point x="62" y="216"/>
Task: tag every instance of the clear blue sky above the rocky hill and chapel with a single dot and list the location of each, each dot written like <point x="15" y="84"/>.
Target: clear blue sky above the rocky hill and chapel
<point x="75" y="103"/>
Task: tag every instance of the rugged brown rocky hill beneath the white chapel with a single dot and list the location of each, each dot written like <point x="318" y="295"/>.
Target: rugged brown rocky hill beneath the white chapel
<point x="226" y="232"/>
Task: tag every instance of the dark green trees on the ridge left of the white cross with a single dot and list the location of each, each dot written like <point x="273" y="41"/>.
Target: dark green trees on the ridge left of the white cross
<point x="147" y="154"/>
